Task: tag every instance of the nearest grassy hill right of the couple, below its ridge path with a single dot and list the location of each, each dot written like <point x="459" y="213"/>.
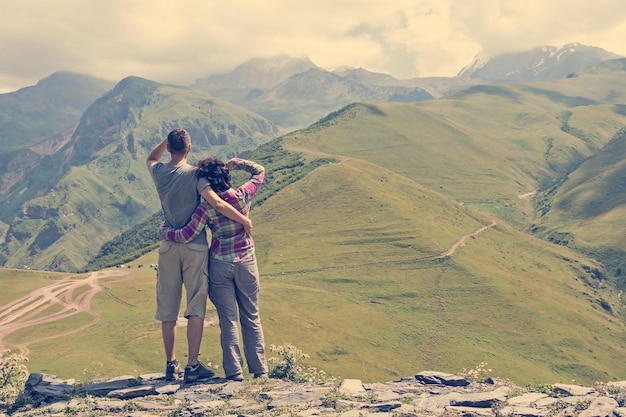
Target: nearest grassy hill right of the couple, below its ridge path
<point x="501" y="299"/>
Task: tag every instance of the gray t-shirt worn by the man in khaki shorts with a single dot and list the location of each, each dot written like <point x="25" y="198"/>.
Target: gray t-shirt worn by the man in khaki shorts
<point x="179" y="191"/>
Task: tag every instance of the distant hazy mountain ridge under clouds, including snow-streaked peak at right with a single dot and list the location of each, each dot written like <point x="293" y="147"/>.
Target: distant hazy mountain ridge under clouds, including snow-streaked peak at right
<point x="298" y="76"/>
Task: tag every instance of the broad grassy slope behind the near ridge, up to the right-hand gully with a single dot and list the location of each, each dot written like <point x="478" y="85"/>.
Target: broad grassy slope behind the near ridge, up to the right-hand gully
<point x="486" y="146"/>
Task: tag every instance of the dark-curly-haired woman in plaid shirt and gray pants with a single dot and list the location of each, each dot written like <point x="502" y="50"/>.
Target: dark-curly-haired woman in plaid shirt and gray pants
<point x="233" y="271"/>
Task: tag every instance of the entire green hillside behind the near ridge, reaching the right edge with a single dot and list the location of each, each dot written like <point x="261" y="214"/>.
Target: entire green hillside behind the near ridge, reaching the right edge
<point x="504" y="150"/>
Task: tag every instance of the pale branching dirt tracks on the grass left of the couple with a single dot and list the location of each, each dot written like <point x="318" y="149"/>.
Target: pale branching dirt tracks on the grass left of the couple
<point x="51" y="303"/>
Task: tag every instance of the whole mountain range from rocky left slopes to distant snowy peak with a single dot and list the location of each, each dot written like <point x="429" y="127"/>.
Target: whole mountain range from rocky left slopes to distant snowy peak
<point x="75" y="128"/>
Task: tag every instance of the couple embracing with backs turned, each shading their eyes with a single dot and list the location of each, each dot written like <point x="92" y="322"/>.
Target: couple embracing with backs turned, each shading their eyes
<point x="192" y="197"/>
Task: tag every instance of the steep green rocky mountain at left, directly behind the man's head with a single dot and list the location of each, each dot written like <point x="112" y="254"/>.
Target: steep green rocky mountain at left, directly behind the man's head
<point x="97" y="186"/>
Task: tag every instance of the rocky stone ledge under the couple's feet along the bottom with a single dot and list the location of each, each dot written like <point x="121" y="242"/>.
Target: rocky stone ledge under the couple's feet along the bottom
<point x="425" y="394"/>
